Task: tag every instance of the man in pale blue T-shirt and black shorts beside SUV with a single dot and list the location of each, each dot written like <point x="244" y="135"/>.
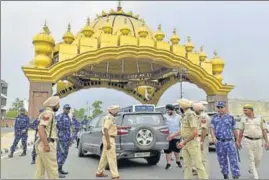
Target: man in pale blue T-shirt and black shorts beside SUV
<point x="173" y="124"/>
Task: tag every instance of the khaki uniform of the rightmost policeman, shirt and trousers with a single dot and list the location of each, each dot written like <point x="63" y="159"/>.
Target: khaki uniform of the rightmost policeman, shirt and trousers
<point x="253" y="140"/>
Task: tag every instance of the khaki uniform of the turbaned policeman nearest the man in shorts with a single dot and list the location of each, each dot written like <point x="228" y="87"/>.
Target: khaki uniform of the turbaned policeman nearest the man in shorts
<point x="191" y="151"/>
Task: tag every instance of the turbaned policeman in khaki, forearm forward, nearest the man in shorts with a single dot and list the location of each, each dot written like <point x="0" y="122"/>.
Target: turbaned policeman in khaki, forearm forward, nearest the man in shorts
<point x="190" y="145"/>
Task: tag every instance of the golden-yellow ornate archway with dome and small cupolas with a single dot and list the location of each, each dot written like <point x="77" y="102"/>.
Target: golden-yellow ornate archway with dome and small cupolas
<point x="118" y="50"/>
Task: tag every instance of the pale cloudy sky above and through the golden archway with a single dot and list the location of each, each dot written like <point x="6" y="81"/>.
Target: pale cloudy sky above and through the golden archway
<point x="237" y="30"/>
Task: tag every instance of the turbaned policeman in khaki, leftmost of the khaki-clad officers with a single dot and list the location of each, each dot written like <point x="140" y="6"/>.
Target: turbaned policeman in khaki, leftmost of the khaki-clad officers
<point x="46" y="160"/>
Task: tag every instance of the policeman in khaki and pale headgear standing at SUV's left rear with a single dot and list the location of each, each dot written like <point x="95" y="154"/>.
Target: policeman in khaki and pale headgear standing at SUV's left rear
<point x="109" y="130"/>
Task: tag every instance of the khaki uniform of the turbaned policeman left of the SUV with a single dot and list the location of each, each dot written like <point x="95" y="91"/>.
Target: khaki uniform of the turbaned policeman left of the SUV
<point x="47" y="161"/>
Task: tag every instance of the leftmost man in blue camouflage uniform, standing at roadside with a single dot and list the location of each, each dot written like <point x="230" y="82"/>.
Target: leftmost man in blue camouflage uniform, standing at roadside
<point x="21" y="132"/>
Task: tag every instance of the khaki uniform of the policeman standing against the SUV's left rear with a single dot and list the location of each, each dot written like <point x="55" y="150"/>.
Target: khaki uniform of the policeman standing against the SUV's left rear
<point x="109" y="156"/>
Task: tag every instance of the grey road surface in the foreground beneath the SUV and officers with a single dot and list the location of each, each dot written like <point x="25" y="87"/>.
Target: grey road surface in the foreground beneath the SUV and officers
<point x="85" y="168"/>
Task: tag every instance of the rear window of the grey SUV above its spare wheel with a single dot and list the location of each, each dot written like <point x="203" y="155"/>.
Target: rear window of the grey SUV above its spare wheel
<point x="137" y="119"/>
